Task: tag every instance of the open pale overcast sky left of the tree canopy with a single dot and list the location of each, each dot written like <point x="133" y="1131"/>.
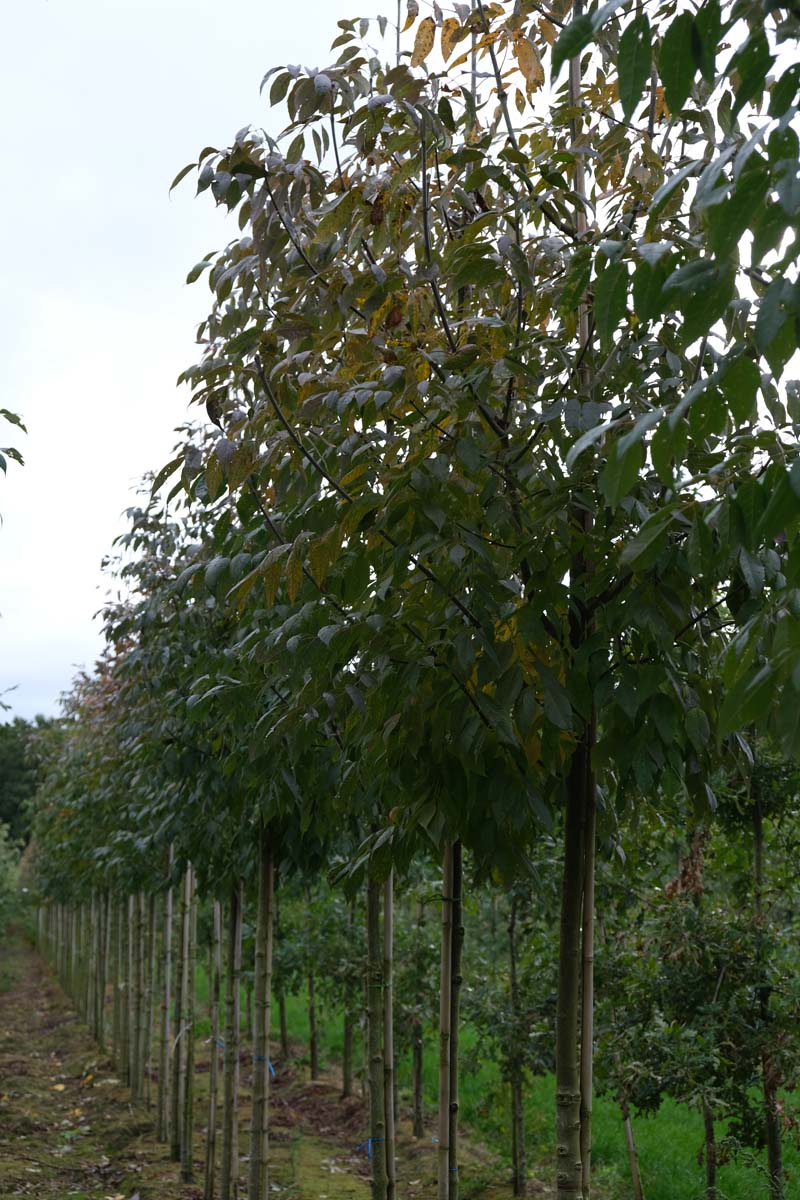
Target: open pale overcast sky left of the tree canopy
<point x="101" y="104"/>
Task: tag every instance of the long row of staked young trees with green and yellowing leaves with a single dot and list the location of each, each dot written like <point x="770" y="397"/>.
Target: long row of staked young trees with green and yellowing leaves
<point x="494" y="535"/>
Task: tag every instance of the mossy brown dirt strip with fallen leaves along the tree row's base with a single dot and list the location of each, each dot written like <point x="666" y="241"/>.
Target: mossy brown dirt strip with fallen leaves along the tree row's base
<point x="69" y="1131"/>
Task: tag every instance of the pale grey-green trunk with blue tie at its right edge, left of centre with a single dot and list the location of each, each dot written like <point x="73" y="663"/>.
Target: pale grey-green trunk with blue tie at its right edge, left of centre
<point x="260" y="1184"/>
